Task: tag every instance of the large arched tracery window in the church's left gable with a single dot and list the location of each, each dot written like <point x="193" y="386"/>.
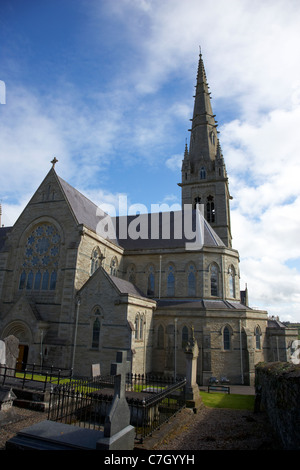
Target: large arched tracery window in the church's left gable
<point x="41" y="256"/>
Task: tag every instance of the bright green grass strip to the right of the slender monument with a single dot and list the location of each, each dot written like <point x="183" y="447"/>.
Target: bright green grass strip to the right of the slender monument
<point x="223" y="400"/>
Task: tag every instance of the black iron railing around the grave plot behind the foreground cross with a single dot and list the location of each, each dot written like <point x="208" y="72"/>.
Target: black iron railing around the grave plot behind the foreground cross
<point x="152" y="401"/>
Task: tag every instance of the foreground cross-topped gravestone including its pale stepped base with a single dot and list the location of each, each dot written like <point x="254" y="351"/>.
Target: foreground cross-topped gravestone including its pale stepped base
<point x="118" y="433"/>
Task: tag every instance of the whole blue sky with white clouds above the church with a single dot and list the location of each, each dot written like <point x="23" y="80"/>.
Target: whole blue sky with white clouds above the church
<point x="106" y="86"/>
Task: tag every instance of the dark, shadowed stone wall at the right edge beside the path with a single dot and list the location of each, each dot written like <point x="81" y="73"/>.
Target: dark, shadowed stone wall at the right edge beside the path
<point x="278" y="389"/>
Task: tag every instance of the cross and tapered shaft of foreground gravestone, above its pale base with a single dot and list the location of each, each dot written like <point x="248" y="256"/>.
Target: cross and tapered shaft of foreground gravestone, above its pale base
<point x="119" y="414"/>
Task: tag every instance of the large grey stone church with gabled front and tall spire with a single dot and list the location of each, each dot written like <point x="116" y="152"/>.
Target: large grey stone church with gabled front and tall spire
<point x="73" y="296"/>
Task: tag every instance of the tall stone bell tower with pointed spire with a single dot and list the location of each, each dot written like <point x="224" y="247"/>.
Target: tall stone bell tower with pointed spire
<point x="204" y="177"/>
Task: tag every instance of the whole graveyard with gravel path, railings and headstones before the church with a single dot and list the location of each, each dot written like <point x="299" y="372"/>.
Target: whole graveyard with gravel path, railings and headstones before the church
<point x="121" y="411"/>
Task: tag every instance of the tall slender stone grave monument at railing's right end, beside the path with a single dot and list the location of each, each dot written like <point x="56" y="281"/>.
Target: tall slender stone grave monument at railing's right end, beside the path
<point x="192" y="395"/>
